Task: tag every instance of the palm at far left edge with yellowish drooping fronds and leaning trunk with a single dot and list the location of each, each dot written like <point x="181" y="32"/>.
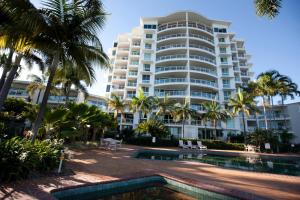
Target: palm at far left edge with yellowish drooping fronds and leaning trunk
<point x="17" y="38"/>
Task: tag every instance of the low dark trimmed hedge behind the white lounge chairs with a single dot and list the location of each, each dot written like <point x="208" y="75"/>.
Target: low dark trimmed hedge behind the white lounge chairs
<point x="211" y="144"/>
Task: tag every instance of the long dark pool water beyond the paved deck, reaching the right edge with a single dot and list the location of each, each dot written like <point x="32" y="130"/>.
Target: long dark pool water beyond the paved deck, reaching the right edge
<point x="269" y="164"/>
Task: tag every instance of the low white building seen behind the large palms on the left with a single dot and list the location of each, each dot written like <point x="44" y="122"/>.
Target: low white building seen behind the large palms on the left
<point x="19" y="90"/>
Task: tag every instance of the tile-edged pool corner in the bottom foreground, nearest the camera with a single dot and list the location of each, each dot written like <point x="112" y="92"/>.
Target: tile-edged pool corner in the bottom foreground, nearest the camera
<point x="145" y="188"/>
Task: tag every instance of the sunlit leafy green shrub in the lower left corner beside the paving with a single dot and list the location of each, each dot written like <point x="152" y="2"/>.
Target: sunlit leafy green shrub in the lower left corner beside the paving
<point x="19" y="156"/>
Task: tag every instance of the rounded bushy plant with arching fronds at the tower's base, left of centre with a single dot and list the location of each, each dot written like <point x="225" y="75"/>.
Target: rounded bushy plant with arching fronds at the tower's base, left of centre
<point x="154" y="127"/>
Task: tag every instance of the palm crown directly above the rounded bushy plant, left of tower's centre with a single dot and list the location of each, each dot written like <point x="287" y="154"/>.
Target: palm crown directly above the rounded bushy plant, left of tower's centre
<point x="142" y="103"/>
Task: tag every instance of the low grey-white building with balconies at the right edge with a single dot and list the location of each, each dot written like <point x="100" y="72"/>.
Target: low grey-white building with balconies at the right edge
<point x="281" y="117"/>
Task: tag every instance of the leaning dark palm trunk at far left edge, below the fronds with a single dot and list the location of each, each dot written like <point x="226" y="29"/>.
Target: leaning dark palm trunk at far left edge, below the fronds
<point x="9" y="80"/>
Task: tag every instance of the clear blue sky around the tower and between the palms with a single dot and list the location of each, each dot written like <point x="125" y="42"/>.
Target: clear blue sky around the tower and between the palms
<point x="273" y="44"/>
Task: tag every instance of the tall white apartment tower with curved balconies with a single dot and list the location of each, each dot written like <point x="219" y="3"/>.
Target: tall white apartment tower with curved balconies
<point x="185" y="56"/>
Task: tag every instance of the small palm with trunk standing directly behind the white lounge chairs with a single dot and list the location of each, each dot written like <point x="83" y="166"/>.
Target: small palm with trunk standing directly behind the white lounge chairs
<point x="182" y="112"/>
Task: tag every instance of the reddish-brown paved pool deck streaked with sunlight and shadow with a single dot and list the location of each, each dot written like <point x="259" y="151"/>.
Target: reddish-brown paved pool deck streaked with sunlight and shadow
<point x="97" y="165"/>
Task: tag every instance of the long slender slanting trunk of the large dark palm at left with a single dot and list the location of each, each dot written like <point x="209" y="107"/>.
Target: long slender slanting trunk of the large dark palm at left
<point x="43" y="105"/>
